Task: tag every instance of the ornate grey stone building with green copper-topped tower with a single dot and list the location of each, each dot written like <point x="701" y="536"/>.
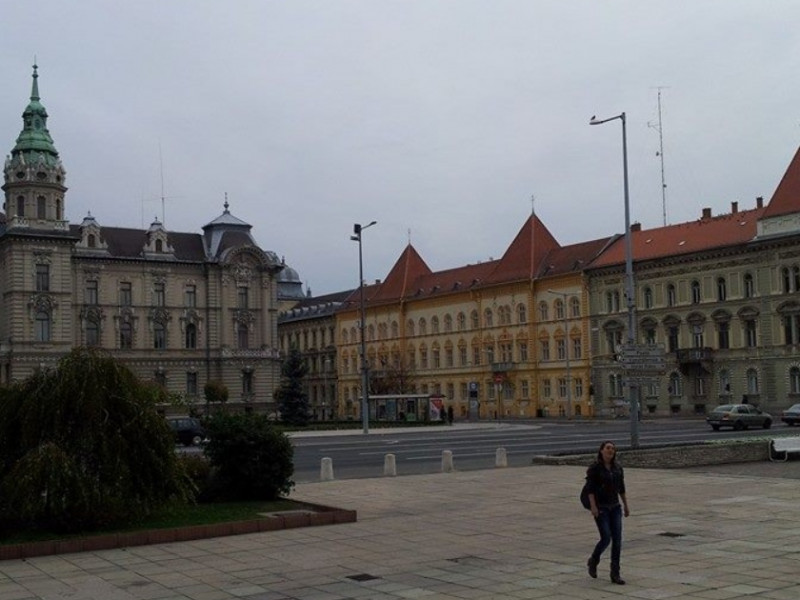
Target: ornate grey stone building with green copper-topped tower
<point x="179" y="308"/>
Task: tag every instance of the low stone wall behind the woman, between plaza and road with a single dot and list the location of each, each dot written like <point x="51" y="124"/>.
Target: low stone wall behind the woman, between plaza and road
<point x="675" y="457"/>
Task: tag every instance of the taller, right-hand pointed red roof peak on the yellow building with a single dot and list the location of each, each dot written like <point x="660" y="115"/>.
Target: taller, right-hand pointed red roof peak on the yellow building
<point x="522" y="258"/>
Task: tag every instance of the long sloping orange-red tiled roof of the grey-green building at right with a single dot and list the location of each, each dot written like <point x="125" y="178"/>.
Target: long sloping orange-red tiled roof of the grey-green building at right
<point x="684" y="238"/>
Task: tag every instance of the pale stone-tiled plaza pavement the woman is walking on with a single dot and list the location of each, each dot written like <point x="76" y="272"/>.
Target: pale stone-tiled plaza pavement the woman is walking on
<point x="501" y="533"/>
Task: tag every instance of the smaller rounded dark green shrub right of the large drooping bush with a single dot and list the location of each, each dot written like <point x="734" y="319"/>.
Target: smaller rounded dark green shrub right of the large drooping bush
<point x="250" y="458"/>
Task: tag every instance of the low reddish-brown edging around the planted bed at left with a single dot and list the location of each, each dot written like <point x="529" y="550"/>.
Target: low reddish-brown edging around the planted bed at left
<point x="307" y="515"/>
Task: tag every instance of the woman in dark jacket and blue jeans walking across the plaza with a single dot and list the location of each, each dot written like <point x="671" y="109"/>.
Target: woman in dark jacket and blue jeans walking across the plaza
<point x="606" y="487"/>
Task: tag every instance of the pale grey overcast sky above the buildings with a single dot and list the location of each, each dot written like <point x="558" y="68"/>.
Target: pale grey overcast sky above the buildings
<point x="438" y="117"/>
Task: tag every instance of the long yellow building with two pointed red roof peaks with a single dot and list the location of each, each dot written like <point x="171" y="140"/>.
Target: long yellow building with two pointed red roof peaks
<point x="503" y="339"/>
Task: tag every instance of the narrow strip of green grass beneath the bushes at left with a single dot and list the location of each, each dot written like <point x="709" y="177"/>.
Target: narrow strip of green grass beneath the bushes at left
<point x="177" y="516"/>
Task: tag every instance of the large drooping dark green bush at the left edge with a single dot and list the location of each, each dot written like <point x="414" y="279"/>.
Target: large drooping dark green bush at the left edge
<point x="82" y="446"/>
